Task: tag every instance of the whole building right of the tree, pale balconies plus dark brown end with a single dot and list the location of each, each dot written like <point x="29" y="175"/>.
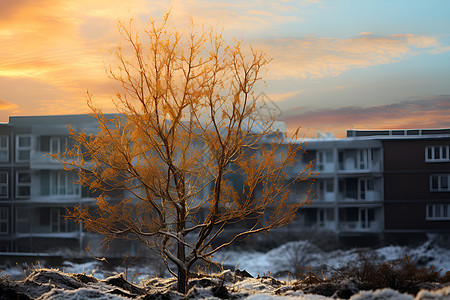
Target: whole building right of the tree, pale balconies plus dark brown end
<point x="380" y="186"/>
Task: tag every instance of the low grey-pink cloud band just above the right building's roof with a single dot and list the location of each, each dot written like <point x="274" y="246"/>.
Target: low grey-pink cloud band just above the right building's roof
<point x="424" y="113"/>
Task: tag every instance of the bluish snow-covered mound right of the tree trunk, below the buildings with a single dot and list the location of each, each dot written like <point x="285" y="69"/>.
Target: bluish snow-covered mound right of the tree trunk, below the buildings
<point x="290" y="256"/>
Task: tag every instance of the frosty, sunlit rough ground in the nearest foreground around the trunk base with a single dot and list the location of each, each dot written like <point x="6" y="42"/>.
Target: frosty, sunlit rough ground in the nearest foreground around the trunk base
<point x="49" y="284"/>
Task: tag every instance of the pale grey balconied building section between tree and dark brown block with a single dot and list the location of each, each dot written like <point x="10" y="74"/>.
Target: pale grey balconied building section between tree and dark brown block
<point x="348" y="190"/>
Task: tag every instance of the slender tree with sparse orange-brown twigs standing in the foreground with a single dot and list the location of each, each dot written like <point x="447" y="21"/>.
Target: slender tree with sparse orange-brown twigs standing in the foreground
<point x="188" y="119"/>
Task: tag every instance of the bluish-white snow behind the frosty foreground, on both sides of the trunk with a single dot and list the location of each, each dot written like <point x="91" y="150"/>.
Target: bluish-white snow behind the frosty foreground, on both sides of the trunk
<point x="282" y="260"/>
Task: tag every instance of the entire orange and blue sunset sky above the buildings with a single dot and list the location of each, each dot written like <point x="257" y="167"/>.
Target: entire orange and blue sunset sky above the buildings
<point x="337" y="64"/>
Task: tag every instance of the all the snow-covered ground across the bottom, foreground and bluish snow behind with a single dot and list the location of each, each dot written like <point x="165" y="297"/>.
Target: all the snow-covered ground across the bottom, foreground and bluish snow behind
<point x="281" y="263"/>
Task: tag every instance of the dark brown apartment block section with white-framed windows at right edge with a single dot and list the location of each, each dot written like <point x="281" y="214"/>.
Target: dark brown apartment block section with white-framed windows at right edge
<point x="416" y="180"/>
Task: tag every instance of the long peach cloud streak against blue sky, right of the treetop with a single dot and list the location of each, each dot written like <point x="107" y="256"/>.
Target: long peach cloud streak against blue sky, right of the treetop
<point x="318" y="57"/>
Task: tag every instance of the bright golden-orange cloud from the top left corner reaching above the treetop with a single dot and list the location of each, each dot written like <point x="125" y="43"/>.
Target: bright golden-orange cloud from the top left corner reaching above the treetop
<point x="63" y="43"/>
